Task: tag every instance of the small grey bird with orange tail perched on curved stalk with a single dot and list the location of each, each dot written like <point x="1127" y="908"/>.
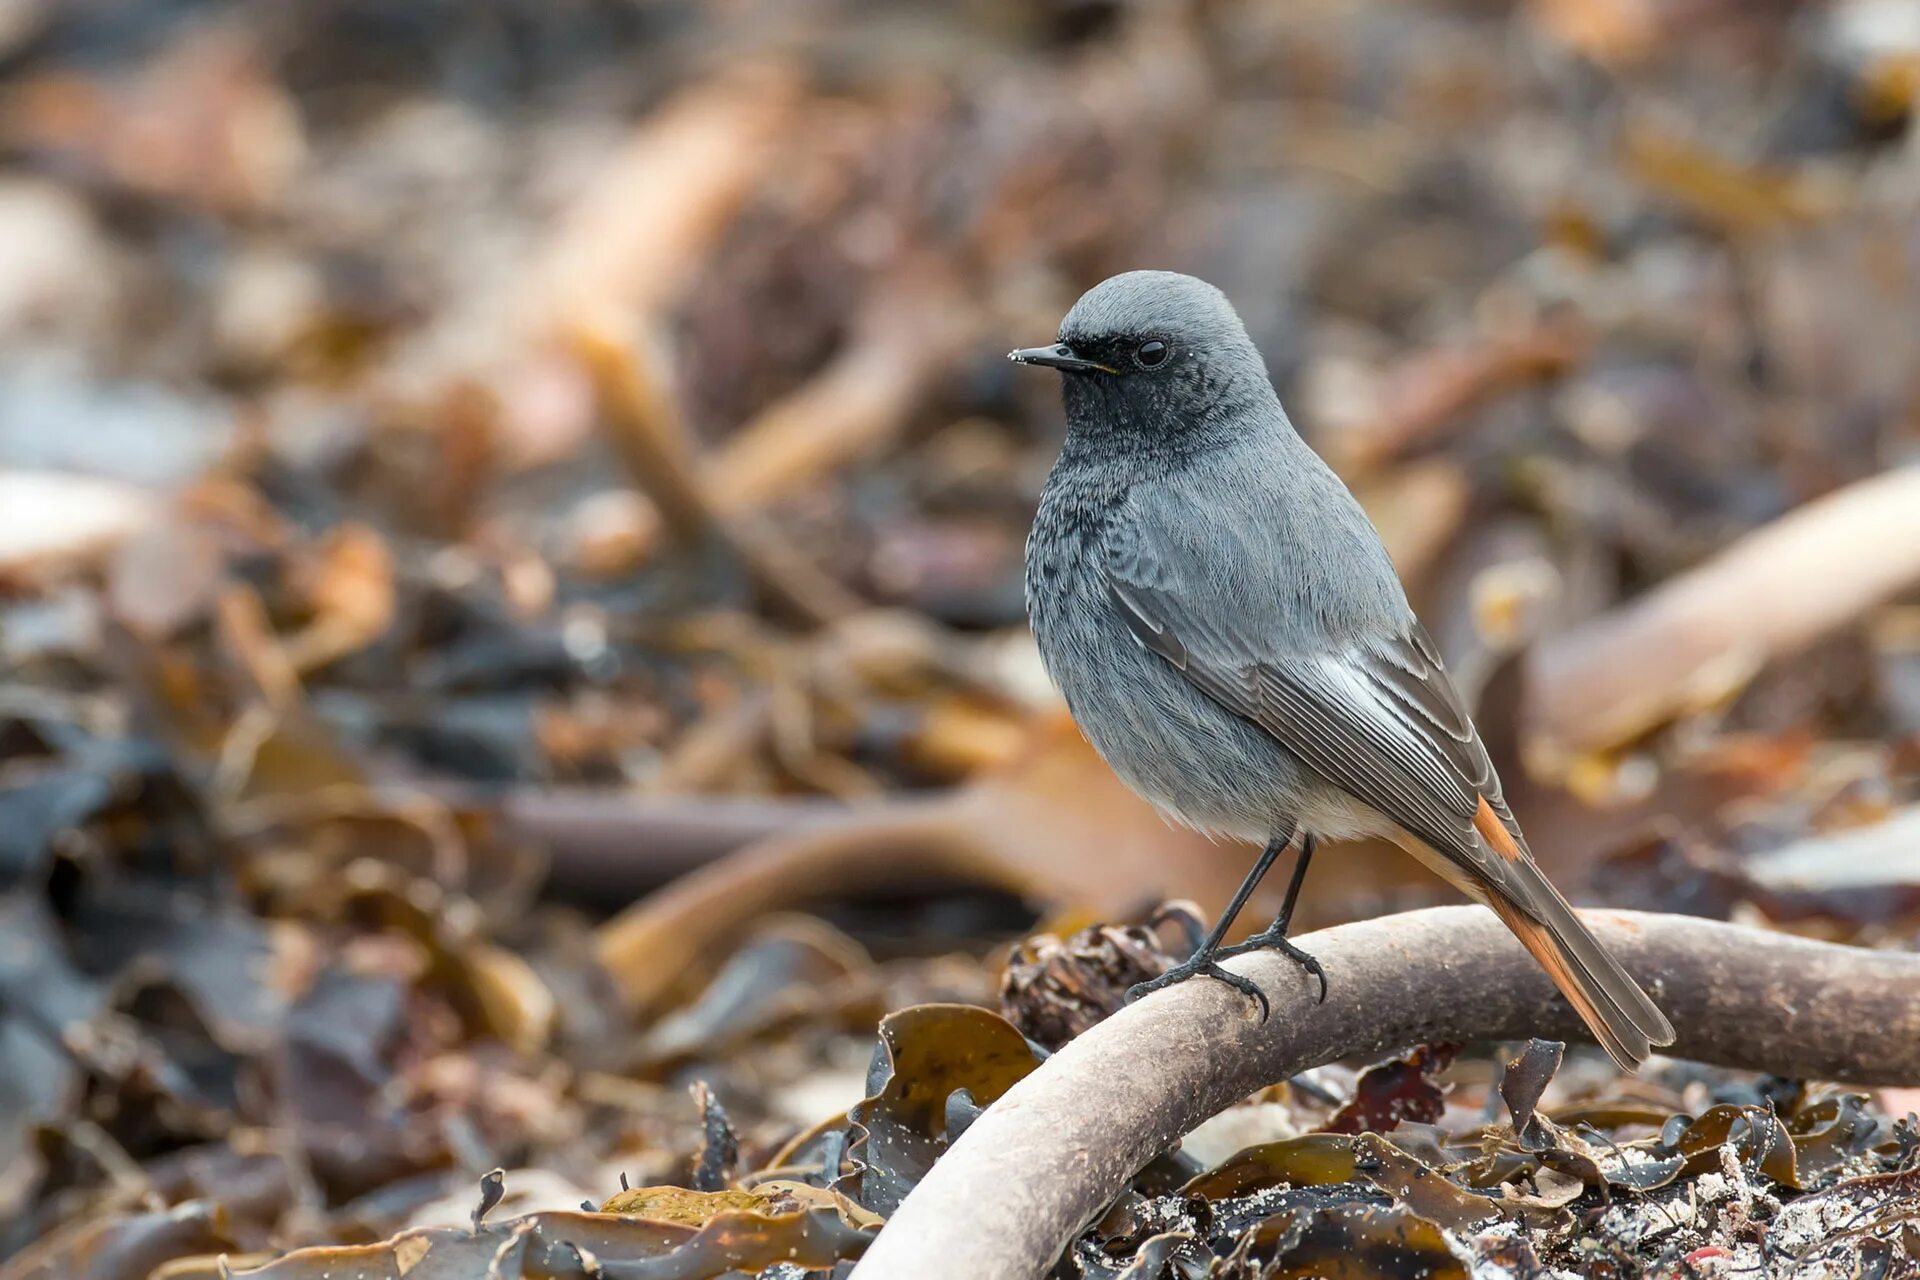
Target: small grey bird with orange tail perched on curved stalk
<point x="1232" y="636"/>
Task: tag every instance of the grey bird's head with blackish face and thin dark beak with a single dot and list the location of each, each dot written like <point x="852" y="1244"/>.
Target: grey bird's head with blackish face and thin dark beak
<point x="1153" y="358"/>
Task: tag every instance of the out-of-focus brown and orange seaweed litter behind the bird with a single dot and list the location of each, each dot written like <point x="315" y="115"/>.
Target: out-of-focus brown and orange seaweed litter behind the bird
<point x="512" y="531"/>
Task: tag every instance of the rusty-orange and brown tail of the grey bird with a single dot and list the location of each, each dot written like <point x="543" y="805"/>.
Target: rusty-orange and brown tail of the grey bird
<point x="1614" y="1007"/>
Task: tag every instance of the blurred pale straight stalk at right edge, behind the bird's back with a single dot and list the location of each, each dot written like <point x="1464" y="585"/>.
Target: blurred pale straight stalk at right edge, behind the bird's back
<point x="1696" y="638"/>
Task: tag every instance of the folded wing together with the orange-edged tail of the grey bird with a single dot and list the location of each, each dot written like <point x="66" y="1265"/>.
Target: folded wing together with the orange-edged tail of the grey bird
<point x="1380" y="719"/>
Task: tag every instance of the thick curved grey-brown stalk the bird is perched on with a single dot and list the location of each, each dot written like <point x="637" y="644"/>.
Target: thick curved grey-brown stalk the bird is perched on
<point x="1063" y="1143"/>
